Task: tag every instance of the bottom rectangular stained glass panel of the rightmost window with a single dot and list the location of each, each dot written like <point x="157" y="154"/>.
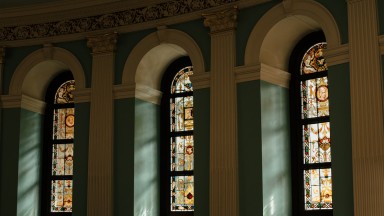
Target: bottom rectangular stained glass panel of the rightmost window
<point x="318" y="189"/>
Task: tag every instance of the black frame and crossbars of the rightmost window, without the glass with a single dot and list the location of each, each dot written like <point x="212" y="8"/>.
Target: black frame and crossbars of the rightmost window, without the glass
<point x="297" y="122"/>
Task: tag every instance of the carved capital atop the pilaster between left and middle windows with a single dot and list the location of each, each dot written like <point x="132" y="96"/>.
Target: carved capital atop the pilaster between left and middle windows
<point x="102" y="44"/>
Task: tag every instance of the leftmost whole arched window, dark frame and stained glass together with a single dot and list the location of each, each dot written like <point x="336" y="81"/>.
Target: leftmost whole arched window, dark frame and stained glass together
<point x="59" y="146"/>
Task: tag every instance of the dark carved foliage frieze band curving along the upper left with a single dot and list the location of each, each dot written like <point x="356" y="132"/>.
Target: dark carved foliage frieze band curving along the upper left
<point x="107" y="21"/>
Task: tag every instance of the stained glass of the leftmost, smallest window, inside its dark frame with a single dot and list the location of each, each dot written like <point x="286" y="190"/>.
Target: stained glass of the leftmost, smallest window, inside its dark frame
<point x="61" y="147"/>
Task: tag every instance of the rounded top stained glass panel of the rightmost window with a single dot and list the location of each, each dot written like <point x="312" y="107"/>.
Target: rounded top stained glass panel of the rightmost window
<point x="313" y="60"/>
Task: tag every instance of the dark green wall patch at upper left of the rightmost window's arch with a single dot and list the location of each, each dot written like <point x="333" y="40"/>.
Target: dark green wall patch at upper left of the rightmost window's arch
<point x="247" y="19"/>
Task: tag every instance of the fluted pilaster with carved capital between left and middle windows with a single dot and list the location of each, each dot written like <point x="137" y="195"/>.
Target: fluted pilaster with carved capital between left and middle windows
<point x="100" y="156"/>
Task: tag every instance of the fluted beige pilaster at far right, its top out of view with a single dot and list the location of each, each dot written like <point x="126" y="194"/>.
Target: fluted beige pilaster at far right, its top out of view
<point x="367" y="108"/>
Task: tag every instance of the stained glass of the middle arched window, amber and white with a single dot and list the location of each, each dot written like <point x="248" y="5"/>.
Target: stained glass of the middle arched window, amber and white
<point x="181" y="142"/>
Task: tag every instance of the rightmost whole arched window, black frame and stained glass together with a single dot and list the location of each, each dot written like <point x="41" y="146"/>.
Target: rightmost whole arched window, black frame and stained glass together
<point x="311" y="128"/>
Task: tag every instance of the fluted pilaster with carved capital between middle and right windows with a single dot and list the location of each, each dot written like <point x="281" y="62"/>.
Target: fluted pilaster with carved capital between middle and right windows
<point x="223" y="134"/>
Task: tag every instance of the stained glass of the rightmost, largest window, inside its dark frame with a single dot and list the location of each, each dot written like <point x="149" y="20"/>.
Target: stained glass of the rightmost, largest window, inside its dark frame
<point x="315" y="129"/>
